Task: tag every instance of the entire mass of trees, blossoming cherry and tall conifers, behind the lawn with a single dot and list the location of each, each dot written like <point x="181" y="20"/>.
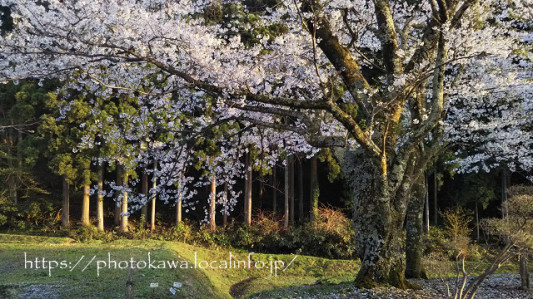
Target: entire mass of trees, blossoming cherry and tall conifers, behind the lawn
<point x="371" y="128"/>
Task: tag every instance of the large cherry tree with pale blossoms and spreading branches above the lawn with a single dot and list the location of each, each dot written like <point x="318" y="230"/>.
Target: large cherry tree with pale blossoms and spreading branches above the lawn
<point x="371" y="79"/>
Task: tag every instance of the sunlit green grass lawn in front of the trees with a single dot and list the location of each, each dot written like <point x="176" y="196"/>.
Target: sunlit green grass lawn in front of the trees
<point x="18" y="281"/>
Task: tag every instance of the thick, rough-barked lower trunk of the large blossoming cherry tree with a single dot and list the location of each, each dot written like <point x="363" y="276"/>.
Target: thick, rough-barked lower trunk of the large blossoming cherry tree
<point x="379" y="213"/>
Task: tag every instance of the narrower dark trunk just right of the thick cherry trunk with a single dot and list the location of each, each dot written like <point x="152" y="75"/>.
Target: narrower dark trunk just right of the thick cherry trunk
<point x="414" y="229"/>
